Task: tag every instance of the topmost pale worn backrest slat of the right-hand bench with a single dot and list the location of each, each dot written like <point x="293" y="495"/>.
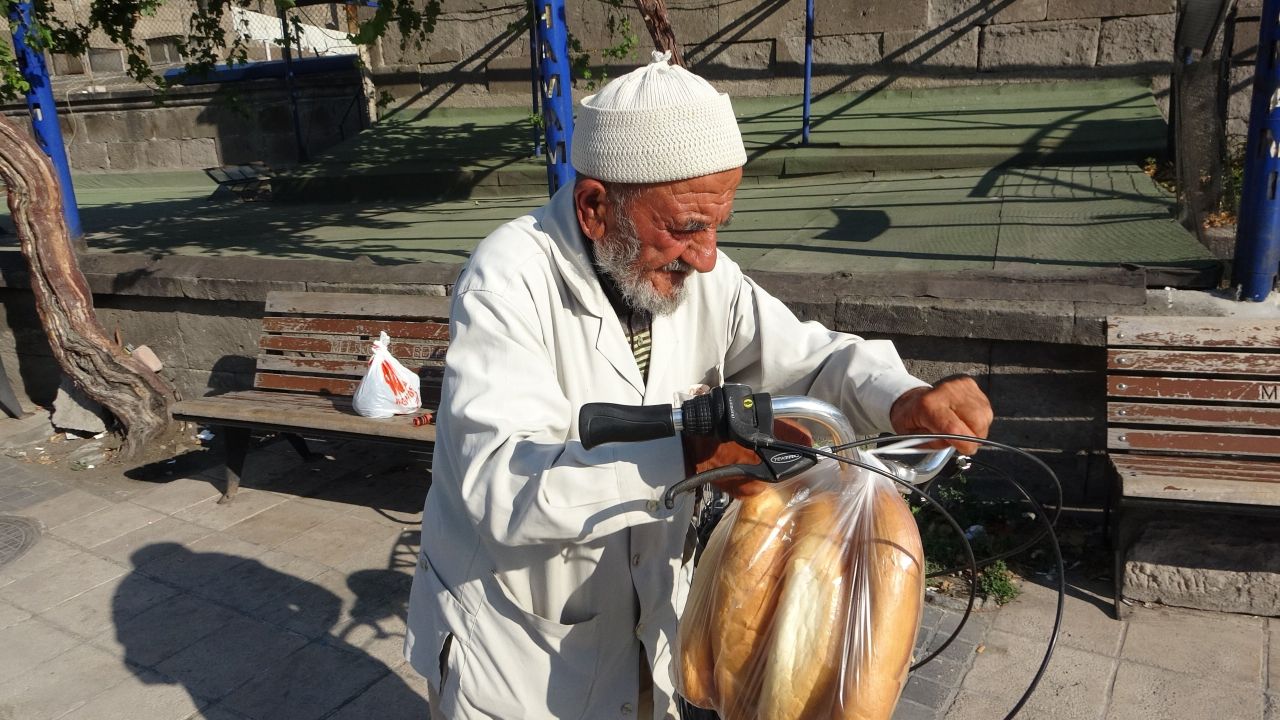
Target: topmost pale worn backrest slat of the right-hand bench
<point x="1194" y="332"/>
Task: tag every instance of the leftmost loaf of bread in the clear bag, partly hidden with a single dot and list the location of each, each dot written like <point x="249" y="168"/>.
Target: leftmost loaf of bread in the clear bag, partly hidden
<point x="694" y="639"/>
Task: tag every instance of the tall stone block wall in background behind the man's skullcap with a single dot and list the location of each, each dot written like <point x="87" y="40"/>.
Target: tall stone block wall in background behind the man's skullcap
<point x="479" y="57"/>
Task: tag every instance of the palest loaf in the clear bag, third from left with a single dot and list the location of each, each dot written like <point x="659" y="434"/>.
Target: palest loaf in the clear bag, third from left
<point x="807" y="639"/>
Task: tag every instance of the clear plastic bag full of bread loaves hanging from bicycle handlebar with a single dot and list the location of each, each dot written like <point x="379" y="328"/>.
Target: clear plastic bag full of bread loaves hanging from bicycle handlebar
<point x="807" y="601"/>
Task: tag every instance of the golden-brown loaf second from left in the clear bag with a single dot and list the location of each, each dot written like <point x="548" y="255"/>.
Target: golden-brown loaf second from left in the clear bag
<point x="746" y="596"/>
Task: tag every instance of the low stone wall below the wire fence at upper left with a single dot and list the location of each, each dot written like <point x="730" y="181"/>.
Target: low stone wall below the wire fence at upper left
<point x="124" y="129"/>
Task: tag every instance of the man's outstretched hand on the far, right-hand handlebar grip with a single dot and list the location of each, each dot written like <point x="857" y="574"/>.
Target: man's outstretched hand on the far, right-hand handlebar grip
<point x="954" y="407"/>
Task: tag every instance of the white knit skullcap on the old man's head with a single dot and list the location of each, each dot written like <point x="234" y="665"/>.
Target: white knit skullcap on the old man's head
<point x="657" y="124"/>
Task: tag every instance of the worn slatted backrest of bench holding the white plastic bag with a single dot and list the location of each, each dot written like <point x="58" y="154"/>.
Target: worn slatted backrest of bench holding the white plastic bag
<point x="319" y="343"/>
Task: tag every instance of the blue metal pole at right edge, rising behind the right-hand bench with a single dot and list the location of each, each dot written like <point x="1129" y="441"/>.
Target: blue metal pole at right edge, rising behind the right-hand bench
<point x="1258" y="244"/>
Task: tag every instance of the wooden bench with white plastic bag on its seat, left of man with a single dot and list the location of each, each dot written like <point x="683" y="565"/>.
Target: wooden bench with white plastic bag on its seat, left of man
<point x="313" y="353"/>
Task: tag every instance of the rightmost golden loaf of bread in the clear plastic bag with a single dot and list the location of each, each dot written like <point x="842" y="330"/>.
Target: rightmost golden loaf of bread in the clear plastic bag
<point x="898" y="599"/>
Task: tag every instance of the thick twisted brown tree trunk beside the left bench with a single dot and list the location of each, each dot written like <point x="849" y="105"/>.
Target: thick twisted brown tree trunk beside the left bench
<point x="139" y="398"/>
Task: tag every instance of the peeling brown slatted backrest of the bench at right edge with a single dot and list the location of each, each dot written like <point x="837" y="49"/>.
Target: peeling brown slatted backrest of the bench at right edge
<point x="1195" y="386"/>
